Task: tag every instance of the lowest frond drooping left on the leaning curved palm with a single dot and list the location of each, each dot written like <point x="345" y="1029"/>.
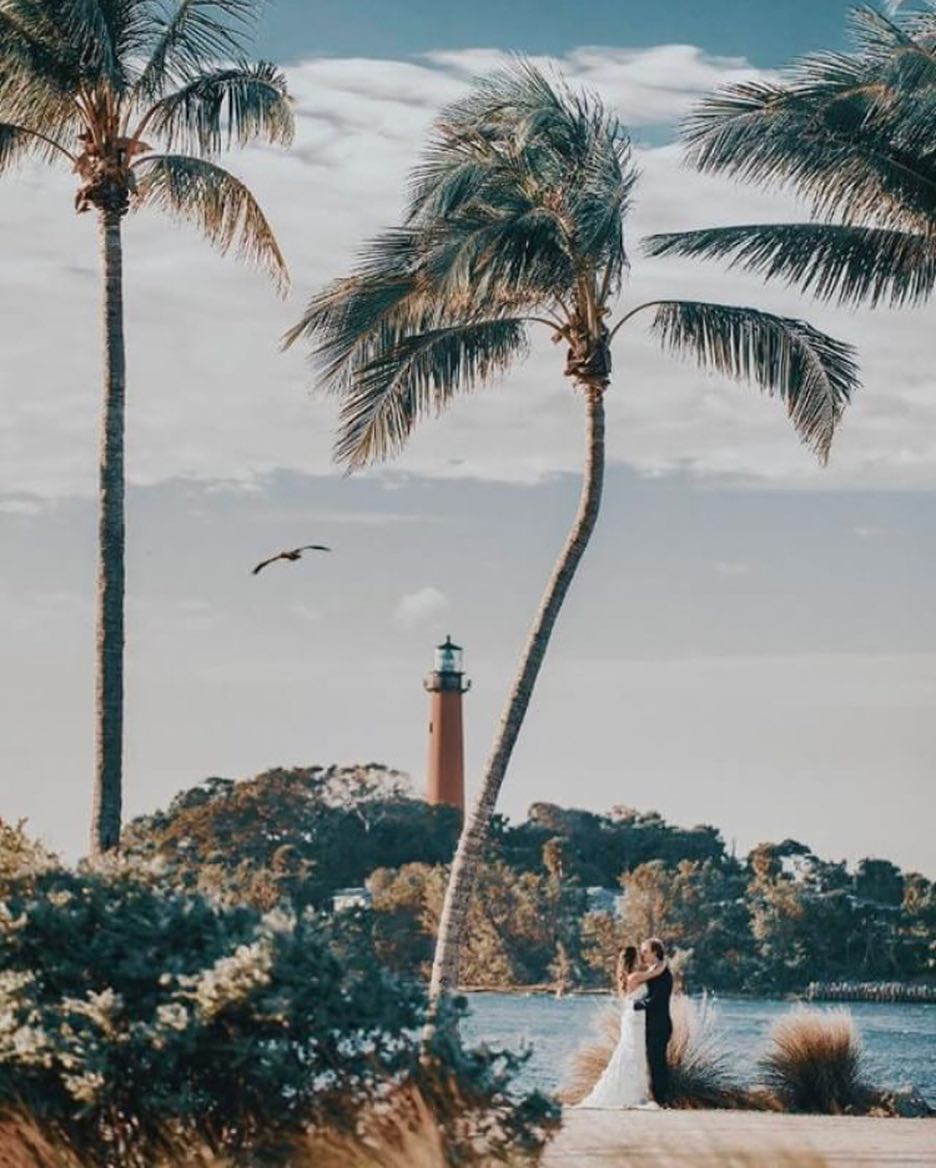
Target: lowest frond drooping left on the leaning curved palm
<point x="417" y="377"/>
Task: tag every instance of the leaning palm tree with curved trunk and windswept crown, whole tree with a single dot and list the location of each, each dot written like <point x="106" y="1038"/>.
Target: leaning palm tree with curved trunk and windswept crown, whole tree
<point x="515" y="221"/>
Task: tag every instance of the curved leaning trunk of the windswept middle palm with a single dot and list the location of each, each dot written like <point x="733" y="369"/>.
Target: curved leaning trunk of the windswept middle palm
<point x="475" y="832"/>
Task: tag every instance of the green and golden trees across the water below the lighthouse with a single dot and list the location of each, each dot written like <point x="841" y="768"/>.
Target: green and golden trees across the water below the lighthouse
<point x="776" y="921"/>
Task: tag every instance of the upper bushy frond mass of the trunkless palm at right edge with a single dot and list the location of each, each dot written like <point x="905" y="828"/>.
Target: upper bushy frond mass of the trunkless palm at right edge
<point x="850" y="131"/>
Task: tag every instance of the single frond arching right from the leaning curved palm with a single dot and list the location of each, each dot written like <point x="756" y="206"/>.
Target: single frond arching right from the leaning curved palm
<point x="814" y="374"/>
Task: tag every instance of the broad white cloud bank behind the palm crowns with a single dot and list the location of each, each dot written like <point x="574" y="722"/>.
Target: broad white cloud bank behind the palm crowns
<point x="212" y="398"/>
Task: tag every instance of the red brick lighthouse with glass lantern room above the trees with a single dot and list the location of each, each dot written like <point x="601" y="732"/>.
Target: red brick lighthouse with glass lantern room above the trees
<point x="446" y="774"/>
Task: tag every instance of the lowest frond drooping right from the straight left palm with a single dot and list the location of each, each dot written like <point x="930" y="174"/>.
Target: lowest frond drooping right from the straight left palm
<point x="218" y="204"/>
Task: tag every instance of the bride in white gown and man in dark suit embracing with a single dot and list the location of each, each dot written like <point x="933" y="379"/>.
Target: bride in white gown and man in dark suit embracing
<point x="637" y="1074"/>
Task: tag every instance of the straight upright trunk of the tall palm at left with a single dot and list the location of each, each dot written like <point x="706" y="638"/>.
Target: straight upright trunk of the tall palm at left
<point x="106" y="814"/>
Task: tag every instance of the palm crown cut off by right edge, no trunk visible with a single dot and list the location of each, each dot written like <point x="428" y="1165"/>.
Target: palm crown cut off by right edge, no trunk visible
<point x="852" y="133"/>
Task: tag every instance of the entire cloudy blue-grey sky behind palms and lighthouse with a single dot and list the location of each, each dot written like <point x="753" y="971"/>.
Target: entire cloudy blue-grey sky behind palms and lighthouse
<point x="752" y="641"/>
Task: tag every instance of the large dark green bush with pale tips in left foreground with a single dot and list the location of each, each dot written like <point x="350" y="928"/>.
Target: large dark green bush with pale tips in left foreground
<point x="130" y="1010"/>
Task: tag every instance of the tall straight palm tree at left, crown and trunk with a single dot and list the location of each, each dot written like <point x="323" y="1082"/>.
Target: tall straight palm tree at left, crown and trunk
<point x="91" y="84"/>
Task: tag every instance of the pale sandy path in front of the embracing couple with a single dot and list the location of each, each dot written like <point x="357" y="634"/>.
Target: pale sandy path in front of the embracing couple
<point x="738" y="1139"/>
